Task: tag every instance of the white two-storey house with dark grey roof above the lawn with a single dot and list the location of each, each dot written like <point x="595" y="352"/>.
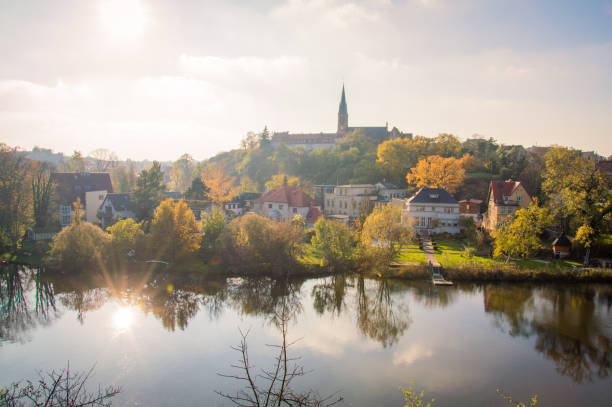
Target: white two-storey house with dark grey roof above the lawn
<point x="433" y="210"/>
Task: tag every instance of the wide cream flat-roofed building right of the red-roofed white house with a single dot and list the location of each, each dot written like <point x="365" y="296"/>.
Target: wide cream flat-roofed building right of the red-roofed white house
<point x="351" y="200"/>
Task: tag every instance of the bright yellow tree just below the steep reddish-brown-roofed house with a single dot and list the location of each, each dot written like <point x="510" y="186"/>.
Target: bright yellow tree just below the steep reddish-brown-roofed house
<point x="520" y="237"/>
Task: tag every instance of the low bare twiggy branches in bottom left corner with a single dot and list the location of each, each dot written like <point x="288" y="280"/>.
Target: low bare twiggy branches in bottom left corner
<point x="57" y="389"/>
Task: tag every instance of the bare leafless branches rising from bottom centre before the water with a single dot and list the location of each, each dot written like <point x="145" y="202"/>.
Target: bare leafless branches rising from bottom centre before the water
<point x="273" y="387"/>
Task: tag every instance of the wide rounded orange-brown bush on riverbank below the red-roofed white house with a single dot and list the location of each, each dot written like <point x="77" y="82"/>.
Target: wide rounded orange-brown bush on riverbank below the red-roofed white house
<point x="254" y="240"/>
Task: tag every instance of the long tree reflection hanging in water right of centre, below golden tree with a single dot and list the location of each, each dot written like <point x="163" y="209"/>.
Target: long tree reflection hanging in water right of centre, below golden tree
<point x="377" y="316"/>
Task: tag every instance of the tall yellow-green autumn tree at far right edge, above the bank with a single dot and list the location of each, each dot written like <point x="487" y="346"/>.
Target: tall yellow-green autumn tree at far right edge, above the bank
<point x="577" y="191"/>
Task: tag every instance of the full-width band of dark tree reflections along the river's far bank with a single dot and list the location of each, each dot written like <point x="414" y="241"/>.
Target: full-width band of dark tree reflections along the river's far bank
<point x="571" y="325"/>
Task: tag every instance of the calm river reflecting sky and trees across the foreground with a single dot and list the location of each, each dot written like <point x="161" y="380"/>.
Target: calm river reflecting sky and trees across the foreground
<point x="165" y="339"/>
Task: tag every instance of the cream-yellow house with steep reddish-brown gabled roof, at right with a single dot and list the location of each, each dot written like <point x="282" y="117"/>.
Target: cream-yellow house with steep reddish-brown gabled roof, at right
<point x="505" y="198"/>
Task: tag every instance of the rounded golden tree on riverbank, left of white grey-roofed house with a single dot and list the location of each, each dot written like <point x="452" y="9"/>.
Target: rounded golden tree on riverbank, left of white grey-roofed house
<point x="384" y="231"/>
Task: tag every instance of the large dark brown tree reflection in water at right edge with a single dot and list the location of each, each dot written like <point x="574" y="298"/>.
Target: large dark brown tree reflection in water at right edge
<point x="570" y="325"/>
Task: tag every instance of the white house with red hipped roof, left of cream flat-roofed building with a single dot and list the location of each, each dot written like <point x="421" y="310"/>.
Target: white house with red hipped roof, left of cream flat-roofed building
<point x="282" y="204"/>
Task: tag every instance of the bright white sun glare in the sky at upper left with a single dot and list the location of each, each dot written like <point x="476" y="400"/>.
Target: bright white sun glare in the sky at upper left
<point x="122" y="20"/>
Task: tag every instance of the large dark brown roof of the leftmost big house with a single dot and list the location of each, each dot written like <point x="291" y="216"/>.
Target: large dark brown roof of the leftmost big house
<point x="72" y="185"/>
